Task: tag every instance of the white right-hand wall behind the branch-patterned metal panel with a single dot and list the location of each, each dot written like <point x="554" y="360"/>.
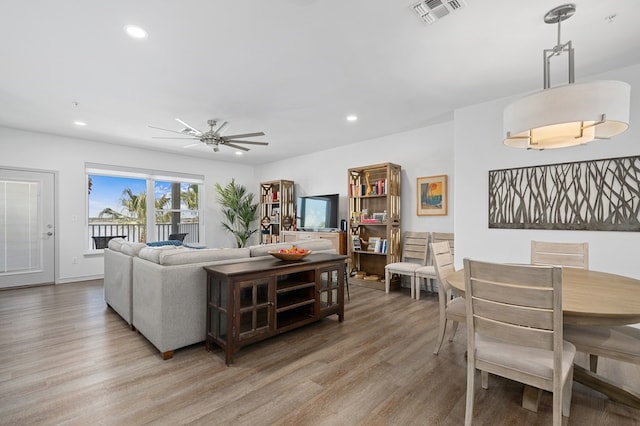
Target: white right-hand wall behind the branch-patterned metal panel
<point x="479" y="148"/>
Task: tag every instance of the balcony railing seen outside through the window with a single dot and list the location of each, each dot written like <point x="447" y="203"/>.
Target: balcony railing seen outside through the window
<point x="133" y="232"/>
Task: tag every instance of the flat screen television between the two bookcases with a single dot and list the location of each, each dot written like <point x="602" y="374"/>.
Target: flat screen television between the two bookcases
<point x="317" y="212"/>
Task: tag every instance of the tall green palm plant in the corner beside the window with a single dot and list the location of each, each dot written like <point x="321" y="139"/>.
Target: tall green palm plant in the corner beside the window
<point x="239" y="211"/>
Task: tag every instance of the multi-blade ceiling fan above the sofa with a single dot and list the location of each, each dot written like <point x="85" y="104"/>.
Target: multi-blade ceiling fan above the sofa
<point x="213" y="137"/>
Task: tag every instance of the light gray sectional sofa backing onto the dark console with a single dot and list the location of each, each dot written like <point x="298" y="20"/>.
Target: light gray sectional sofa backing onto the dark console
<point x="161" y="291"/>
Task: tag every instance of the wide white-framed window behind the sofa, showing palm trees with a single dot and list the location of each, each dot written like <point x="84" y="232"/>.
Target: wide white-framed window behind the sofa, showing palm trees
<point x="118" y="205"/>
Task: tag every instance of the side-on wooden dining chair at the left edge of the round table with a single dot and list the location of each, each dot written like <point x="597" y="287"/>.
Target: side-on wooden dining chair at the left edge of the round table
<point x="451" y="308"/>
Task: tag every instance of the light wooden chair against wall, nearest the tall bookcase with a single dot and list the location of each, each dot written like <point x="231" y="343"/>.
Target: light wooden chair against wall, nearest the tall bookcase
<point x="414" y="255"/>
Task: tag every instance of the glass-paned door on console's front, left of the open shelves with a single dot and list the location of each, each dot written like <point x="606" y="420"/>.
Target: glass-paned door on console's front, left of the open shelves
<point x="254" y="308"/>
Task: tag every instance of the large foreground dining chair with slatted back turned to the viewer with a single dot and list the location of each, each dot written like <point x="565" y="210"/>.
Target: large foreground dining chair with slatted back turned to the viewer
<point x="514" y="330"/>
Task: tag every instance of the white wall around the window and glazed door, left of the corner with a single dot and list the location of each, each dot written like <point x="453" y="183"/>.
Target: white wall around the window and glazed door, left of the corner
<point x="67" y="157"/>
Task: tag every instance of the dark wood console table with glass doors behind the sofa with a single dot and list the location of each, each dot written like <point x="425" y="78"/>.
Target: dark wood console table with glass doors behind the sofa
<point x="252" y="301"/>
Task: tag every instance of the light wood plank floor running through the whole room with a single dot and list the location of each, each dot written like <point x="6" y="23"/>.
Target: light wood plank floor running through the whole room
<point x="65" y="358"/>
